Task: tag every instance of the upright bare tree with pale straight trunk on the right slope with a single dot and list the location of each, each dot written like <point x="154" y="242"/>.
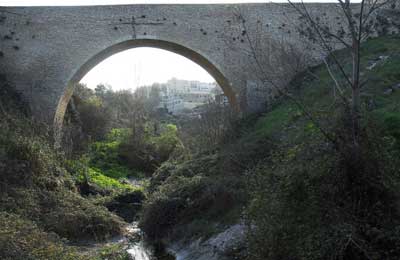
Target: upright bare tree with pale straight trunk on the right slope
<point x="359" y="25"/>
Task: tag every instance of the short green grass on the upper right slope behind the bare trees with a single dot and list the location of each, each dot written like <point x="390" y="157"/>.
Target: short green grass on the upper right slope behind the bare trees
<point x="318" y="94"/>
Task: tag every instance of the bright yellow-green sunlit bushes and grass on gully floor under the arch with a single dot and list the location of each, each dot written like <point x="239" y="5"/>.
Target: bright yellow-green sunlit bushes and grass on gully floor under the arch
<point x="110" y="162"/>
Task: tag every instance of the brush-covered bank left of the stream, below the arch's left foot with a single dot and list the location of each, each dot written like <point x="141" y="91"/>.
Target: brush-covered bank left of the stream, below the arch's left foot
<point x="40" y="207"/>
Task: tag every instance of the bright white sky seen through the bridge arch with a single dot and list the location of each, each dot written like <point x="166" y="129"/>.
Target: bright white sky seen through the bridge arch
<point x="143" y="66"/>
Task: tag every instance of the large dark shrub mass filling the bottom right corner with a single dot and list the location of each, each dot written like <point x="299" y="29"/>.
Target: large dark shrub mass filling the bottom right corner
<point x="311" y="202"/>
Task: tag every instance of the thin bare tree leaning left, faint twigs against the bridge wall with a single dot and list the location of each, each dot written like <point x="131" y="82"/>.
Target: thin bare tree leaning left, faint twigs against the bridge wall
<point x="275" y="62"/>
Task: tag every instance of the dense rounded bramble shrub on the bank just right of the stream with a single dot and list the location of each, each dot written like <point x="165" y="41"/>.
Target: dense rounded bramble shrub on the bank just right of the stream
<point x="194" y="191"/>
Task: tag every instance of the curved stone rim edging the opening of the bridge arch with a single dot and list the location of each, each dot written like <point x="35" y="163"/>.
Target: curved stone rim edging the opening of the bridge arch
<point x="192" y="55"/>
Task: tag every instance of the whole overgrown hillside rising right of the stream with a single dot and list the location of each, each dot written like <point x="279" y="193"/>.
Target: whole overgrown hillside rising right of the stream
<point x="304" y="197"/>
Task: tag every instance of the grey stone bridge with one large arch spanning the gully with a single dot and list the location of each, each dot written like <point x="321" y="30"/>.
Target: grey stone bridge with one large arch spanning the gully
<point x="44" y="51"/>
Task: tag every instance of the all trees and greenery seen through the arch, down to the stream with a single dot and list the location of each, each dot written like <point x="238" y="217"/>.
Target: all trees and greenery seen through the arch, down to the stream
<point x="133" y="143"/>
